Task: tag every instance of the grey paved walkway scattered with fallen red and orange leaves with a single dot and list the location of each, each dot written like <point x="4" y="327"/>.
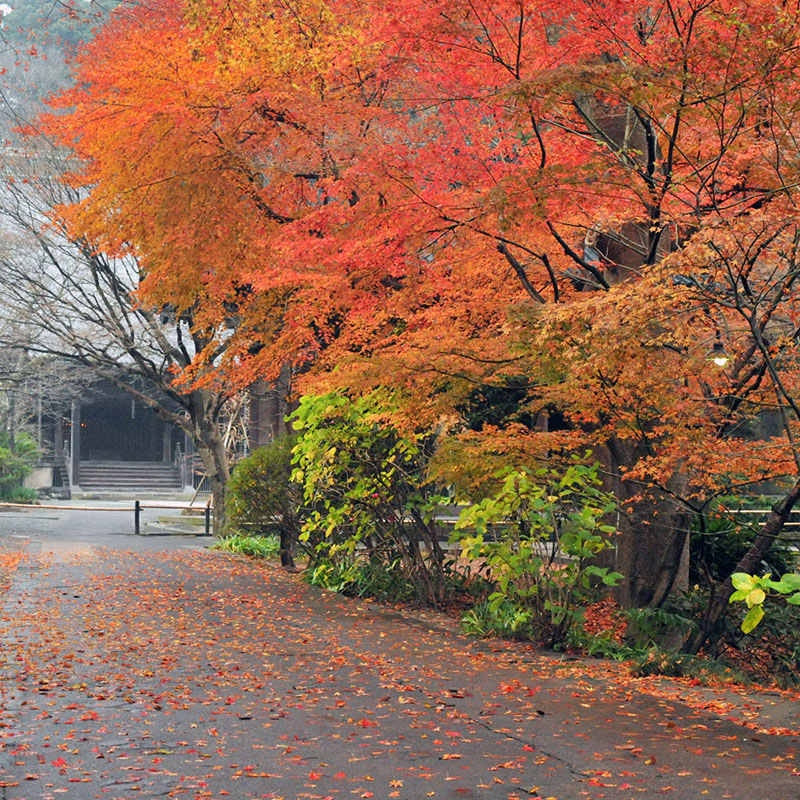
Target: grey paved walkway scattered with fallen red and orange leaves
<point x="139" y="667"/>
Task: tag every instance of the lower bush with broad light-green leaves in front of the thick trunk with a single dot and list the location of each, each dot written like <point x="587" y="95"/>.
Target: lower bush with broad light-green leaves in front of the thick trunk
<point x="538" y="537"/>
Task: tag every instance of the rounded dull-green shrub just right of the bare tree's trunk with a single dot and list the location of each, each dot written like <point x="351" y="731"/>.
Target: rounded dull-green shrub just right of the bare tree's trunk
<point x="262" y="499"/>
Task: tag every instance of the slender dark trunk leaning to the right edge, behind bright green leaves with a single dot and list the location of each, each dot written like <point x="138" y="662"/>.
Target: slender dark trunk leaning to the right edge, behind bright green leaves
<point x="749" y="563"/>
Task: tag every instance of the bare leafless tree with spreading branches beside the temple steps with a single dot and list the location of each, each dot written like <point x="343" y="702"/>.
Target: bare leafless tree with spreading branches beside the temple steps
<point x="61" y="298"/>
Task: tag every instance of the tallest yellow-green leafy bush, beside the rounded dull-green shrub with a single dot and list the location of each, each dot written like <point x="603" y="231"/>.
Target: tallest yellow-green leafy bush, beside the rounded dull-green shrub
<point x="365" y="482"/>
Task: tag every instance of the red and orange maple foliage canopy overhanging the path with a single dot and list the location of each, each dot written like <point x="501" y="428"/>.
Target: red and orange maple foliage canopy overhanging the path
<point x="581" y="201"/>
